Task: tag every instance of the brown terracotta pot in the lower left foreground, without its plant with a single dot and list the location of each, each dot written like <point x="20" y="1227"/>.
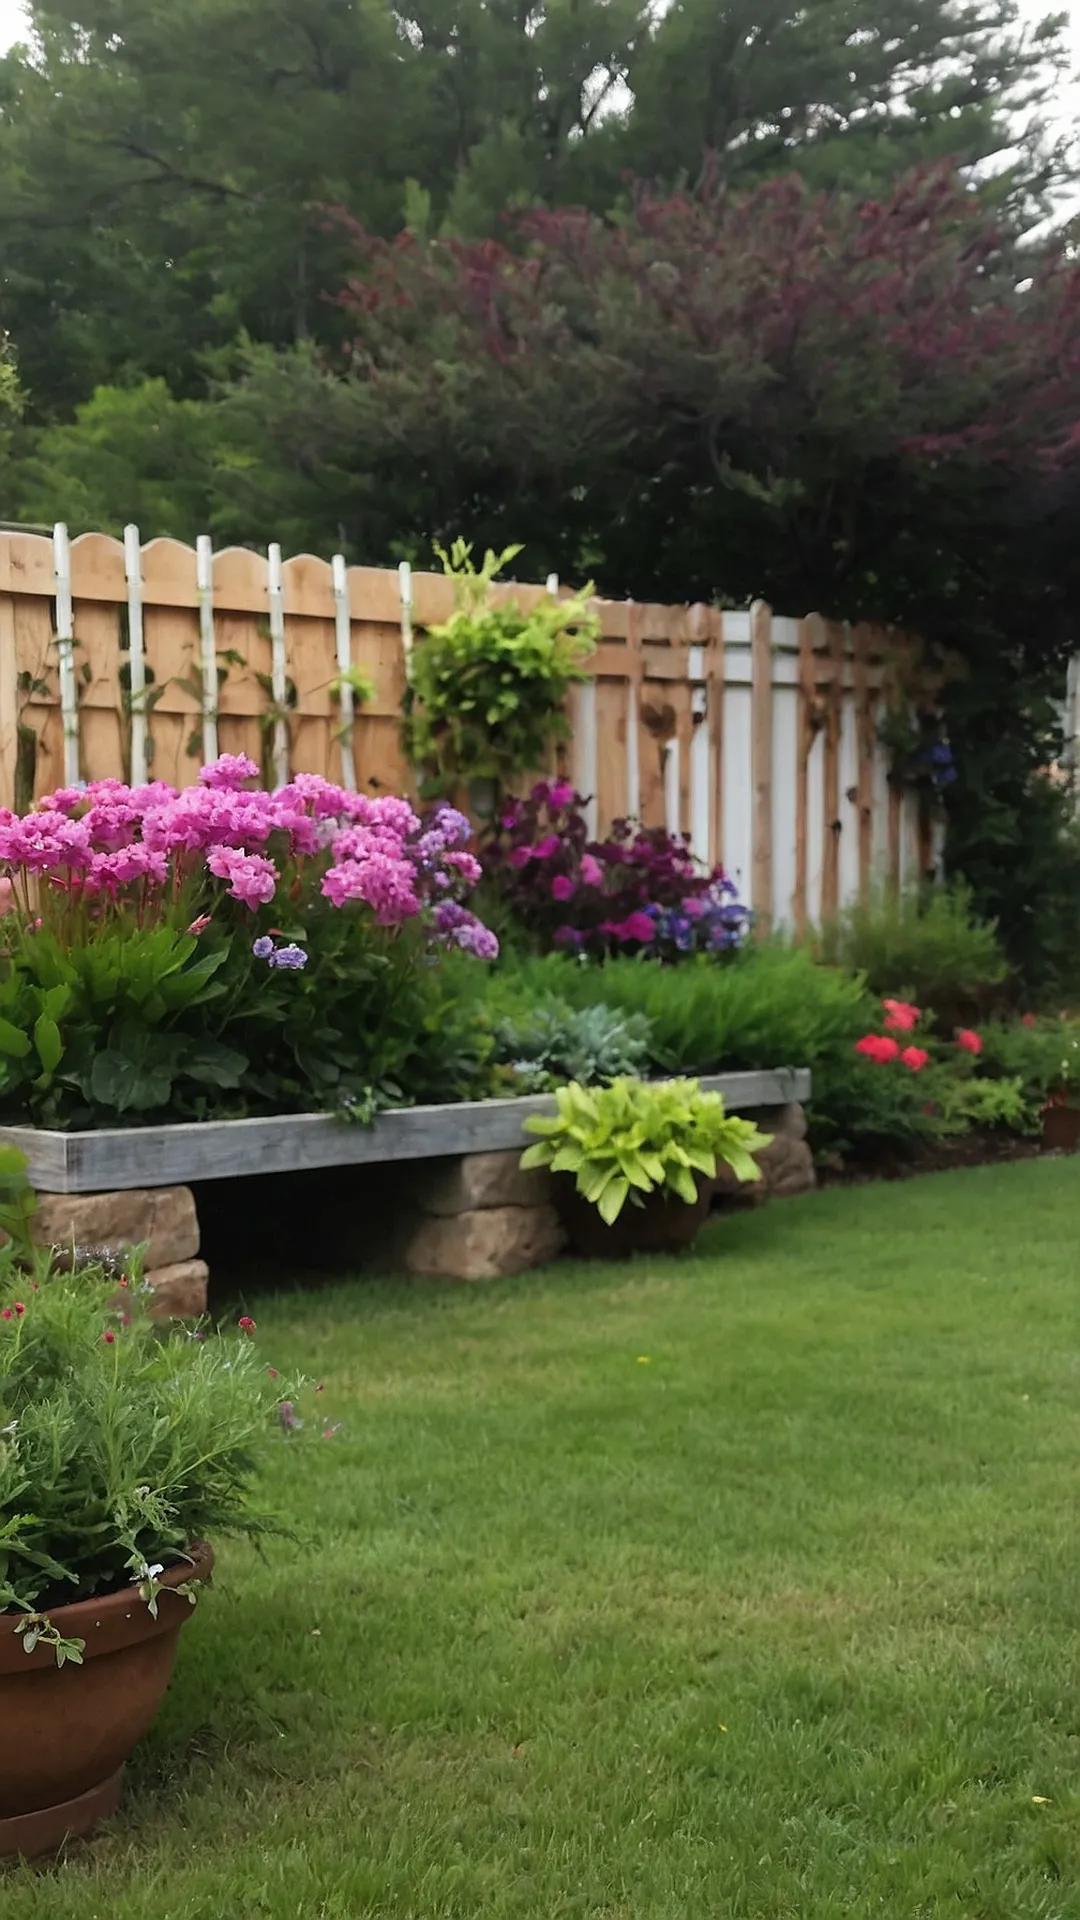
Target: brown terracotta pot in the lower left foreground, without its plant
<point x="68" y="1731"/>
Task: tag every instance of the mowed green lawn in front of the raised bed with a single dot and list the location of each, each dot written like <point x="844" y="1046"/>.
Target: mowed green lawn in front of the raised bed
<point x="735" y="1585"/>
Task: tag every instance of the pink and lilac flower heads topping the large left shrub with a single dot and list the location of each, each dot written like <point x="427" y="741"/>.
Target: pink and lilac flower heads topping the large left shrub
<point x="116" y="844"/>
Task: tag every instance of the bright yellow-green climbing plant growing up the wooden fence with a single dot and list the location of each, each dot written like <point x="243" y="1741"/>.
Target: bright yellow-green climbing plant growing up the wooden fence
<point x="487" y="688"/>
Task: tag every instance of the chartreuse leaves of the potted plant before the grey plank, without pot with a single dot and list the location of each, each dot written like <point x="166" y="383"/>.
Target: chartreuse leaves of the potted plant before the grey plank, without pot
<point x="637" y="1138"/>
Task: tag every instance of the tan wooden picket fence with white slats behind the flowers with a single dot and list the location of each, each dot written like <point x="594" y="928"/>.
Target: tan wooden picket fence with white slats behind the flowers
<point x="758" y="736"/>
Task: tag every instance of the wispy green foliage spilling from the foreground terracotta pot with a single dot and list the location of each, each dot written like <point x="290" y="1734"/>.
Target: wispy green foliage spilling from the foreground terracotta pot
<point x="120" y="1441"/>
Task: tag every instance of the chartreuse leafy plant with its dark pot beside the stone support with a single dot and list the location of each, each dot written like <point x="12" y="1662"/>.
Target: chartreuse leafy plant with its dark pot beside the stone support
<point x="635" y="1161"/>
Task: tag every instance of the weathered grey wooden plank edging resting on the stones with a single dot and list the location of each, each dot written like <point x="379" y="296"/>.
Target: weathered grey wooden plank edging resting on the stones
<point x="289" y="1143"/>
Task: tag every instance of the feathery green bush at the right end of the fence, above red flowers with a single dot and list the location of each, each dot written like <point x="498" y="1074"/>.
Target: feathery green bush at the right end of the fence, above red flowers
<point x="929" y="949"/>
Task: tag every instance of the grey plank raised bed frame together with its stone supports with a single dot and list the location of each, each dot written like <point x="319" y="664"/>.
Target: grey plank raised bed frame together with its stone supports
<point x="454" y="1207"/>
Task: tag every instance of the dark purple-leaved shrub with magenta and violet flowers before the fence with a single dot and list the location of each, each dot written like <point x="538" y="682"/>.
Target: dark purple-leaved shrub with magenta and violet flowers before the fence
<point x="639" y="890"/>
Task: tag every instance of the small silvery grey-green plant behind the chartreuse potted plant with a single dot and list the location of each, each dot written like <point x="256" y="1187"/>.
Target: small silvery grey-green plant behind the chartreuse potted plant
<point x="552" y="1044"/>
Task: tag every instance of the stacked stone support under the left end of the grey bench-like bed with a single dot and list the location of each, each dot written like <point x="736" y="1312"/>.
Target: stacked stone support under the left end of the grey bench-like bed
<point x="162" y="1220"/>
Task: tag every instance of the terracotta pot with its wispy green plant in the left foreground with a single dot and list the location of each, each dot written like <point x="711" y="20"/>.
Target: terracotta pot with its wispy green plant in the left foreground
<point x="124" y="1449"/>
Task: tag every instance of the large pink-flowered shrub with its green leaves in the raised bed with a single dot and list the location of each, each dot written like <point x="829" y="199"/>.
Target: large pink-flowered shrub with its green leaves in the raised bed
<point x="226" y="951"/>
